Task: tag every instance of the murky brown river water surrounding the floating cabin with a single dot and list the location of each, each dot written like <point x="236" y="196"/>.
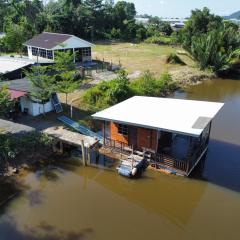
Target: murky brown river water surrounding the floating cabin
<point x="91" y="203"/>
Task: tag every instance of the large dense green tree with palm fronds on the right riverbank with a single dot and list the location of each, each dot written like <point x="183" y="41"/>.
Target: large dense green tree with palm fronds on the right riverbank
<point x="210" y="40"/>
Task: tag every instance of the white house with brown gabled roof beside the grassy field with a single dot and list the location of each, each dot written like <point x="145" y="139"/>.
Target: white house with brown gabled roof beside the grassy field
<point x="44" y="46"/>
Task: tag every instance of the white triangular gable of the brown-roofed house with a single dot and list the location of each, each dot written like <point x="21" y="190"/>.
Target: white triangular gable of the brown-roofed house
<point x="73" y="42"/>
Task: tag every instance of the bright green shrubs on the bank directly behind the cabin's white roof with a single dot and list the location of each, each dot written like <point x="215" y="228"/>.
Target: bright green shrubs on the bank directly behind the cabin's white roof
<point x="109" y="93"/>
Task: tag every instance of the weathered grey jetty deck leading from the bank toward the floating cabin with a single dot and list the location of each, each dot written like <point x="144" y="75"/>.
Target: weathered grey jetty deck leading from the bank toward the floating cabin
<point x="70" y="137"/>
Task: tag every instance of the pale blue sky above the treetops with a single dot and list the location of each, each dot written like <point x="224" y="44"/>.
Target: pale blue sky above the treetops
<point x="182" y="8"/>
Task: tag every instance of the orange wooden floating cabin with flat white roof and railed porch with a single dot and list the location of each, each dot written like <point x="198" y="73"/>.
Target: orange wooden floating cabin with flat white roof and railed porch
<point x="175" y="133"/>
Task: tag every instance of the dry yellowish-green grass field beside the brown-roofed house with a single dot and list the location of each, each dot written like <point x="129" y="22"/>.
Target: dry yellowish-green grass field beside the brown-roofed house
<point x="139" y="57"/>
